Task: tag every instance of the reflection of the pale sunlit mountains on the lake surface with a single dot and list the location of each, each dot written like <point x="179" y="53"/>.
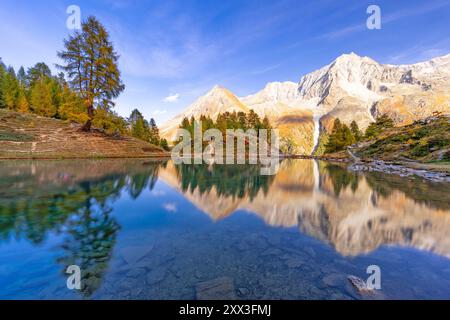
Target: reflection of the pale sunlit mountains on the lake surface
<point x="355" y="213"/>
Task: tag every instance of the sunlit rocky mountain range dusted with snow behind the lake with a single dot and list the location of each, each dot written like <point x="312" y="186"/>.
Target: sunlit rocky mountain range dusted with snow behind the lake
<point x="351" y="88"/>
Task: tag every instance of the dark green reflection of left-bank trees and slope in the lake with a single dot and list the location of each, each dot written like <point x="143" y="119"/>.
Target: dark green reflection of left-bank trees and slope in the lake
<point x="80" y="210"/>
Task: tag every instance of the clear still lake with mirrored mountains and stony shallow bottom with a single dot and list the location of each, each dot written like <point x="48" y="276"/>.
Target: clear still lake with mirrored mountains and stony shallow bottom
<point x="150" y="230"/>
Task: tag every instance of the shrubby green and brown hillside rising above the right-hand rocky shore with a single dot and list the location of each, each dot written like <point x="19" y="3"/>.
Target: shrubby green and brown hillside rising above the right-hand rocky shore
<point x="426" y="140"/>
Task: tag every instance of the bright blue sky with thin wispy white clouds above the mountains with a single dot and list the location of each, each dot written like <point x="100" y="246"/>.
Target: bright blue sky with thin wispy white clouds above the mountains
<point x="174" y="51"/>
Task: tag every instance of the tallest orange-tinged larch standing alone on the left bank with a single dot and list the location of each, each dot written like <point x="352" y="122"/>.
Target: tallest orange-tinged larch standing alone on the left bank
<point x="92" y="67"/>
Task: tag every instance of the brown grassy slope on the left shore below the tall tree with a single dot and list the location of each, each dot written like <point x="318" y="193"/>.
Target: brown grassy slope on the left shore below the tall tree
<point x="28" y="136"/>
